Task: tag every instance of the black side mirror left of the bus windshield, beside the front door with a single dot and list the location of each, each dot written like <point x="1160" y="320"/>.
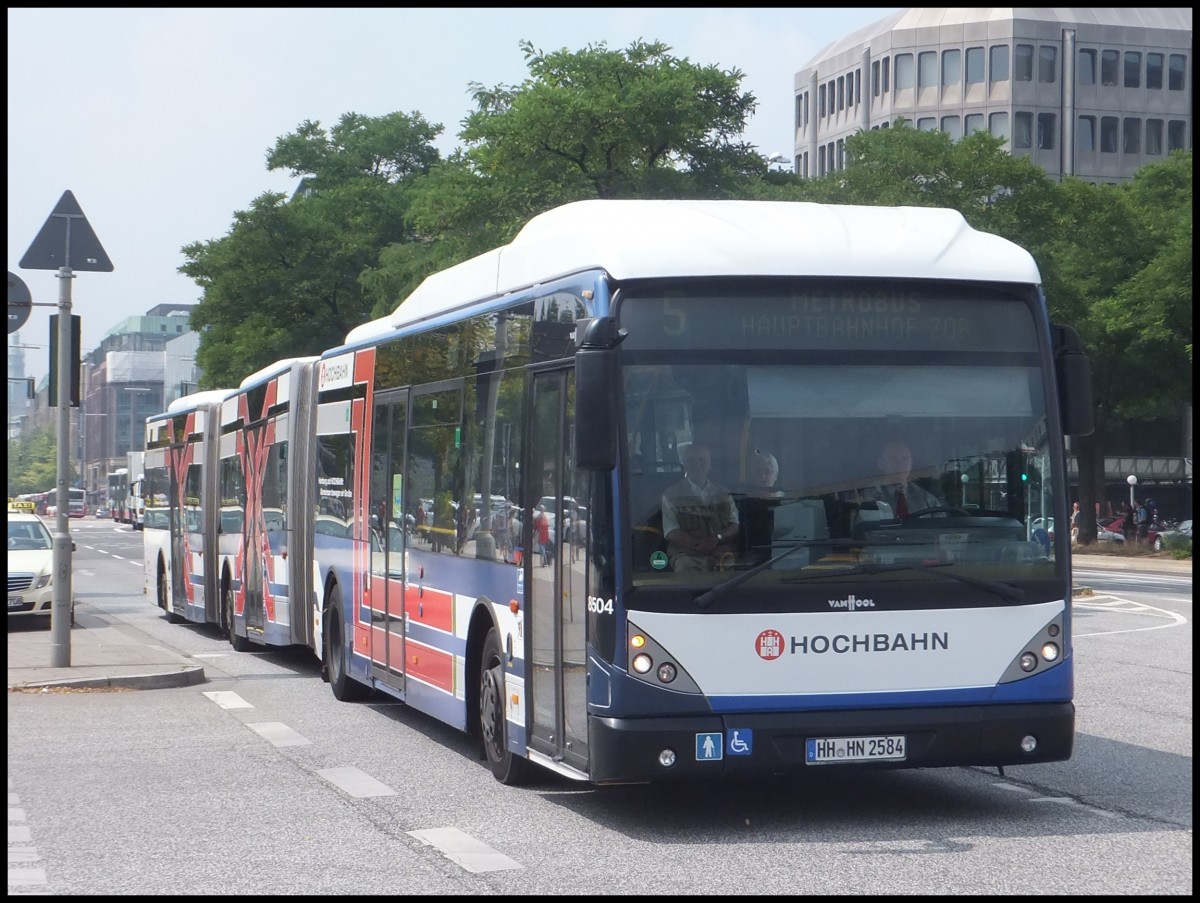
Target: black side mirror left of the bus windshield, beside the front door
<point x="597" y="390"/>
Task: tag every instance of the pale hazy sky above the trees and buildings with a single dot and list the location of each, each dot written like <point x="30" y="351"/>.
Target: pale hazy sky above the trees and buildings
<point x="159" y="121"/>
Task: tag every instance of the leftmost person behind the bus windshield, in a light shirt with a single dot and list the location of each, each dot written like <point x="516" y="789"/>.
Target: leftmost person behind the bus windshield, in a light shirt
<point x="700" y="519"/>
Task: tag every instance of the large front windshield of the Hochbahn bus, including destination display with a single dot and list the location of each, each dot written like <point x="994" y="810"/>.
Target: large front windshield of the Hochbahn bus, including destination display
<point x="808" y="432"/>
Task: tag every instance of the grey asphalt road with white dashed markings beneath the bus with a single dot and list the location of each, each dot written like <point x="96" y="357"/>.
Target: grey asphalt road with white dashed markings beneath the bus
<point x="260" y="782"/>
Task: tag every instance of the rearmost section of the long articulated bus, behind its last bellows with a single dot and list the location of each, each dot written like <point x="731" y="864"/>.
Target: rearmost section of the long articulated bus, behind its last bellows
<point x="182" y="513"/>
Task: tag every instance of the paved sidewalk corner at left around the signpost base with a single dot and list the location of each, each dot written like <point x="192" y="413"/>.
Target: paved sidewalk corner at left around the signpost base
<point x="104" y="654"/>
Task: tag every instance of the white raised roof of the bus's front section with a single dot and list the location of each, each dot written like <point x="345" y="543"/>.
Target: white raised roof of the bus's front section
<point x="647" y="240"/>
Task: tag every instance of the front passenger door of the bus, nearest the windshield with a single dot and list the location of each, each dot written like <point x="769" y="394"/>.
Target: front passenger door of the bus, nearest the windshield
<point x="556" y="584"/>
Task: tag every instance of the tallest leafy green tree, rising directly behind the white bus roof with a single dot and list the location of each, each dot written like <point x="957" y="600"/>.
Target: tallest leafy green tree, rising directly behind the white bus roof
<point x="589" y="124"/>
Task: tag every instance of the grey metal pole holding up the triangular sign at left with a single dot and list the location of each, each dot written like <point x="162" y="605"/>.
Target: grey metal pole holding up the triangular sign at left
<point x="61" y="605"/>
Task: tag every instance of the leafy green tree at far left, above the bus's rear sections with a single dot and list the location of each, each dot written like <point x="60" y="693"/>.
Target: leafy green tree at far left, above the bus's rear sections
<point x="286" y="280"/>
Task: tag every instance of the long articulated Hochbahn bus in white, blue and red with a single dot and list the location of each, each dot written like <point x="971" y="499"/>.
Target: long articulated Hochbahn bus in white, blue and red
<point x="376" y="504"/>
